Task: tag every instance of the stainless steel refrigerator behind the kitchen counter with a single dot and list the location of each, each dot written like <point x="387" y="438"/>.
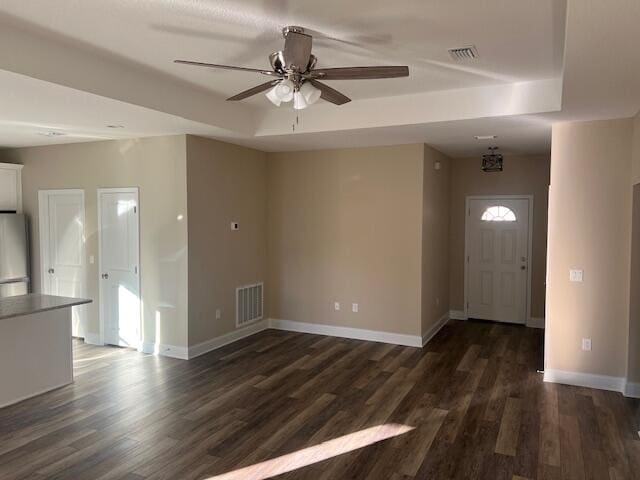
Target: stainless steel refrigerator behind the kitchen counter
<point x="14" y="255"/>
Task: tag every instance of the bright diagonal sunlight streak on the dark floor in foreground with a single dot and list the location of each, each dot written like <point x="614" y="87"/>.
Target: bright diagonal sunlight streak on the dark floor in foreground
<point x="317" y="453"/>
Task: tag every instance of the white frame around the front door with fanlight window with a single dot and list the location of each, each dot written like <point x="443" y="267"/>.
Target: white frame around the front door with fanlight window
<point x="467" y="206"/>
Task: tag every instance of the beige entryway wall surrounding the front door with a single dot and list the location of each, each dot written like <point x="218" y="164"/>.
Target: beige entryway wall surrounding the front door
<point x="522" y="175"/>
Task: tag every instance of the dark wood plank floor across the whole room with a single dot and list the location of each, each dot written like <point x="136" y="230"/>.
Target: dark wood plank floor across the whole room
<point x="470" y="405"/>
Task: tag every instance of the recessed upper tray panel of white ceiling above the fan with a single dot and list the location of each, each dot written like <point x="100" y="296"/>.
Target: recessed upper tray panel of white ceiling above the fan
<point x="517" y="40"/>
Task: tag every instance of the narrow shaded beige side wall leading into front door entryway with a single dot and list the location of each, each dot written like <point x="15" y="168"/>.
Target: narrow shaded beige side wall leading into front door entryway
<point x="435" y="238"/>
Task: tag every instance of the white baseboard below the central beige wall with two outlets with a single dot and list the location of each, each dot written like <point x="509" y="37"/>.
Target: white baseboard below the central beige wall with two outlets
<point x="347" y="332"/>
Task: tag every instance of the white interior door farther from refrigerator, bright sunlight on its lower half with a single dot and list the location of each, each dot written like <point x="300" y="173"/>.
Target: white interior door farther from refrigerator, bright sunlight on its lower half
<point x="119" y="272"/>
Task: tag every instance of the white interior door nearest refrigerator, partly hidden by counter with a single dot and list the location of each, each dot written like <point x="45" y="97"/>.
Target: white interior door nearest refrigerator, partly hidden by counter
<point x="62" y="248"/>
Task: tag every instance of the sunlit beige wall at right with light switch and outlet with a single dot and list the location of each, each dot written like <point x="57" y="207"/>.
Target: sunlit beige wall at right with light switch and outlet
<point x="589" y="229"/>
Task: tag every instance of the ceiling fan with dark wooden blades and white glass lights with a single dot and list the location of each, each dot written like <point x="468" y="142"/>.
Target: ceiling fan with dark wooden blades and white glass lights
<point x="294" y="76"/>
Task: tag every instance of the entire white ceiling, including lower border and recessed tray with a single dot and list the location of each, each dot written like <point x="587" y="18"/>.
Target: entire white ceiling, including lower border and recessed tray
<point x="76" y="66"/>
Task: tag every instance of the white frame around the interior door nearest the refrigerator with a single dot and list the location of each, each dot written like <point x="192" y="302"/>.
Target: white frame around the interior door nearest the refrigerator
<point x="43" y="235"/>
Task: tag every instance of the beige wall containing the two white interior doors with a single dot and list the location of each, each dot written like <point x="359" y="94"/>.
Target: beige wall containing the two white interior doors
<point x="158" y="167"/>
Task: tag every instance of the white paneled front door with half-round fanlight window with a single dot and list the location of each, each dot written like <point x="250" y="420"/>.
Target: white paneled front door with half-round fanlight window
<point x="497" y="248"/>
